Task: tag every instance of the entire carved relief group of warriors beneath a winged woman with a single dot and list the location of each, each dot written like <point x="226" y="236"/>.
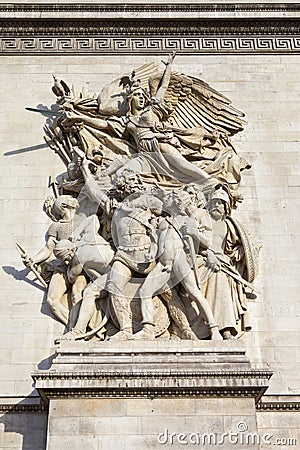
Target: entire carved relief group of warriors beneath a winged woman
<point x="143" y="243"/>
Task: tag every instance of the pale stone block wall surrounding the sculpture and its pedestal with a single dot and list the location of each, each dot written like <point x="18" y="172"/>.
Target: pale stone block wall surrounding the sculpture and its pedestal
<point x="258" y="69"/>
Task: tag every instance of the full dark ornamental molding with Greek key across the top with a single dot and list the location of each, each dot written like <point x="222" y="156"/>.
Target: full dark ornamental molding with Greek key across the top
<point x="188" y="29"/>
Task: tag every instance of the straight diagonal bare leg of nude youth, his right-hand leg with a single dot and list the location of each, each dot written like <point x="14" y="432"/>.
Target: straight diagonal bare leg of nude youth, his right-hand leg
<point x="189" y="283"/>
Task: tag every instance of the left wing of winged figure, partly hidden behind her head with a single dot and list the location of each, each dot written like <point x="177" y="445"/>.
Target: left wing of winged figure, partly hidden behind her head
<point x="112" y="99"/>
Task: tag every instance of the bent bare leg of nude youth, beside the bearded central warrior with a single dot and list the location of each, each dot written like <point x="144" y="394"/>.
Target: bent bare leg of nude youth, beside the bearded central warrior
<point x="155" y="280"/>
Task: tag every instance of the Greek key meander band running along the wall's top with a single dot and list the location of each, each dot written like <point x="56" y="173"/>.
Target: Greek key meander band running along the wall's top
<point x="31" y="45"/>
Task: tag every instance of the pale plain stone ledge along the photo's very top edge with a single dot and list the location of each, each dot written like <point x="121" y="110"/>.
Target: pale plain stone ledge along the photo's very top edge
<point x="149" y="11"/>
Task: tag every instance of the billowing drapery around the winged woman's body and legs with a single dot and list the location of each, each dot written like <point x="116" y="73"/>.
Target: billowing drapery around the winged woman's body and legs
<point x="219" y="160"/>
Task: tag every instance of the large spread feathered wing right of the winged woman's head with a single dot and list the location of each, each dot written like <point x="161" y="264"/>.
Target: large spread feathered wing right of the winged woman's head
<point x="196" y="103"/>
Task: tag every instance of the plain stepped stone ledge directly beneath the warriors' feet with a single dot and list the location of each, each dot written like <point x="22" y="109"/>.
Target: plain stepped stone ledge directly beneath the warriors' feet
<point x="150" y="355"/>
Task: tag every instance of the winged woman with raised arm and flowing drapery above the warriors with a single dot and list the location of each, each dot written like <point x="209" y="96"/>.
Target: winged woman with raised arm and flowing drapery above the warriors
<point x="166" y="125"/>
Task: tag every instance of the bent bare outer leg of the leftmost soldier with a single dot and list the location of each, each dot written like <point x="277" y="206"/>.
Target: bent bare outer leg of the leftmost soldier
<point x="58" y="286"/>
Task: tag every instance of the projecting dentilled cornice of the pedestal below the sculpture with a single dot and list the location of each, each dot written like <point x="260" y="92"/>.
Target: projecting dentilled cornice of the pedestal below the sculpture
<point x="151" y="383"/>
